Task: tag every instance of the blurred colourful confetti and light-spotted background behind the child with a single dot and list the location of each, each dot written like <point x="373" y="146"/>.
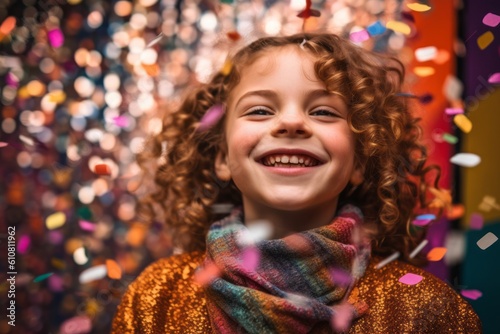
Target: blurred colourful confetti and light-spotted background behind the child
<point x="84" y="82"/>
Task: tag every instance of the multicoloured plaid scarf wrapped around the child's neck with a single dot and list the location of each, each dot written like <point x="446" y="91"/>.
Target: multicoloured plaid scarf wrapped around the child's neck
<point x="298" y="284"/>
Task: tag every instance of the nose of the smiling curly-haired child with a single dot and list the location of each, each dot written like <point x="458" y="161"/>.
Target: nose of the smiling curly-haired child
<point x="292" y="123"/>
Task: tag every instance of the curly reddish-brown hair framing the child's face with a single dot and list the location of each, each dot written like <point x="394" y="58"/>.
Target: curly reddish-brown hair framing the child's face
<point x="386" y="133"/>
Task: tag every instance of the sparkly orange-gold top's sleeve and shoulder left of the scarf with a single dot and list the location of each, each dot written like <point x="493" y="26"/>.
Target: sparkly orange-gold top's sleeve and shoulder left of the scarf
<point x="164" y="299"/>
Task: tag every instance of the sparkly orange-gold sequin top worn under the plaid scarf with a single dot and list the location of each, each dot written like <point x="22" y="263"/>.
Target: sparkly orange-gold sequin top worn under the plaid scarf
<point x="164" y="299"/>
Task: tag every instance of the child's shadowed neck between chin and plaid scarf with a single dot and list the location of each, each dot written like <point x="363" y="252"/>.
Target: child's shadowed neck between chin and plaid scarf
<point x="285" y="222"/>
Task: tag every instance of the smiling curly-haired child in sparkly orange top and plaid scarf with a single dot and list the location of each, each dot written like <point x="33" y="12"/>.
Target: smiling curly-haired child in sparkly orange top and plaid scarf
<point x="317" y="141"/>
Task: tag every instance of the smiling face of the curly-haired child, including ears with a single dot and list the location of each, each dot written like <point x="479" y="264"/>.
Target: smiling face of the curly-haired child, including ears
<point x="289" y="146"/>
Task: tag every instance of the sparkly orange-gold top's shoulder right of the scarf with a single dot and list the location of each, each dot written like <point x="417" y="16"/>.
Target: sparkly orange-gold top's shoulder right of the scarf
<point x="430" y="305"/>
